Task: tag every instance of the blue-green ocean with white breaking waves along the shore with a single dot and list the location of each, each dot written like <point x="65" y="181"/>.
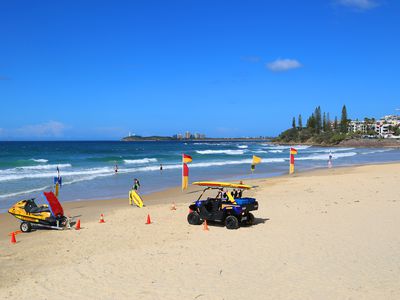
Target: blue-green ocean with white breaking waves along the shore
<point x="87" y="168"/>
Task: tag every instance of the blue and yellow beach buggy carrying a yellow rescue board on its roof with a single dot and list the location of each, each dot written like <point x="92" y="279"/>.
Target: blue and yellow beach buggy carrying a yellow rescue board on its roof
<point x="228" y="206"/>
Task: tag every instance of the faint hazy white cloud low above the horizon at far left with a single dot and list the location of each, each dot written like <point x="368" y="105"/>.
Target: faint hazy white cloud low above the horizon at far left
<point x="49" y="129"/>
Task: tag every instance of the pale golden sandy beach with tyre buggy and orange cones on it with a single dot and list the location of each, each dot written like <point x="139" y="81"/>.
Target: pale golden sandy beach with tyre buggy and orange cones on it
<point x="325" y="234"/>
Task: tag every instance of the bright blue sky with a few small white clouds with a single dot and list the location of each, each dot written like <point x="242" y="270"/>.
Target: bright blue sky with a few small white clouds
<point x="99" y="69"/>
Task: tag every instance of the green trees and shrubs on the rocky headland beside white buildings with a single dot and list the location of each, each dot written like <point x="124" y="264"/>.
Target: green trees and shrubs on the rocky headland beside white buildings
<point x="319" y="129"/>
